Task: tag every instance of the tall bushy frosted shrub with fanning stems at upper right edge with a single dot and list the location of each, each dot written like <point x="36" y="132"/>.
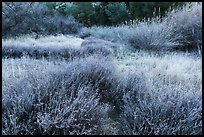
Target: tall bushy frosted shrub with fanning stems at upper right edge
<point x="181" y="29"/>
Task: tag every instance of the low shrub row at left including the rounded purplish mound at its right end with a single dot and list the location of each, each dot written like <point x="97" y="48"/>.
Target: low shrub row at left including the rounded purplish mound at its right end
<point x="39" y="49"/>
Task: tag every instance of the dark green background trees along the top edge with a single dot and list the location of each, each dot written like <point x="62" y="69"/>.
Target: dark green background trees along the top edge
<point x="112" y="13"/>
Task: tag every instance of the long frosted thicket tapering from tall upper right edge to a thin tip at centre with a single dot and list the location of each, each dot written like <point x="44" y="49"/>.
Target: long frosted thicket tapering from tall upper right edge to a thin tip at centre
<point x="180" y="29"/>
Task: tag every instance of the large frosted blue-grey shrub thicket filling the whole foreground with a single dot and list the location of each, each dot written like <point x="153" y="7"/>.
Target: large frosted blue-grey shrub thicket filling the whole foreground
<point x="86" y="94"/>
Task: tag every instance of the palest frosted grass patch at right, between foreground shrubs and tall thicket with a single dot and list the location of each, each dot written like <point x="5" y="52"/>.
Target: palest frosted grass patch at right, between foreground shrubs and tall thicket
<point x="185" y="68"/>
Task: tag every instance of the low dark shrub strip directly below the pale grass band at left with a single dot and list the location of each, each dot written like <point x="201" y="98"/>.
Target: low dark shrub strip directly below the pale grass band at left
<point x="17" y="51"/>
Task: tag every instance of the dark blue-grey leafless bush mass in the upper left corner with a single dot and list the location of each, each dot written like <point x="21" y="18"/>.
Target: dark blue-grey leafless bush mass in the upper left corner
<point x="20" y="18"/>
